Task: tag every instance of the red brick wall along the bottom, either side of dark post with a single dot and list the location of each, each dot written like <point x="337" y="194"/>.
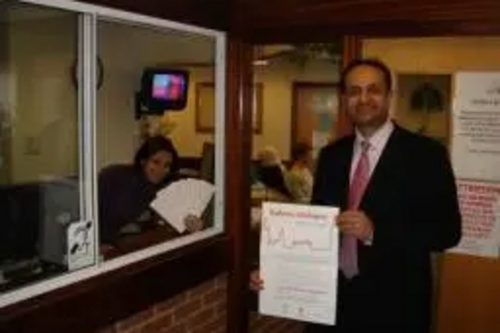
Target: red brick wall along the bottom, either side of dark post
<point x="199" y="310"/>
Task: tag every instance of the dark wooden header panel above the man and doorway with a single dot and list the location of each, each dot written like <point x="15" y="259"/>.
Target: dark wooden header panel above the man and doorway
<point x="320" y="20"/>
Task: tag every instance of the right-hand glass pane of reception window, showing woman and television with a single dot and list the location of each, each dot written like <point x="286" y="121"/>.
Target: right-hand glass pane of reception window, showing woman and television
<point x="157" y="94"/>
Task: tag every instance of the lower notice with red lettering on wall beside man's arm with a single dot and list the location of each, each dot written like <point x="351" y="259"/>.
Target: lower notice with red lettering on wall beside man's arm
<point x="480" y="208"/>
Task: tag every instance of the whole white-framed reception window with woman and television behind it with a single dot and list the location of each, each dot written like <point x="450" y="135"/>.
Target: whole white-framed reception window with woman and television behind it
<point x="101" y="164"/>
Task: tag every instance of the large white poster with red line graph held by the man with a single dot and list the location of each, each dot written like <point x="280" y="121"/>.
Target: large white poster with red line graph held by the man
<point x="299" y="262"/>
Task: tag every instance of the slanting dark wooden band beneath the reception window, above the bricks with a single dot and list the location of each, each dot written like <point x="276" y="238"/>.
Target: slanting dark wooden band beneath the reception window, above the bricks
<point x="100" y="301"/>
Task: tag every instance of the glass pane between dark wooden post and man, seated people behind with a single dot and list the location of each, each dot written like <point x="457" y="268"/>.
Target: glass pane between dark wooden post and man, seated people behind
<point x="299" y="117"/>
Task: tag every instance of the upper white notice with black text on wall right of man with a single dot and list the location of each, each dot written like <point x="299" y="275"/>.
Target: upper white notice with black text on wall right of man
<point x="476" y="126"/>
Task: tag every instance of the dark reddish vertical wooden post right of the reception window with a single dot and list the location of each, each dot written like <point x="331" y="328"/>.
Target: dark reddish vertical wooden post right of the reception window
<point x="238" y="148"/>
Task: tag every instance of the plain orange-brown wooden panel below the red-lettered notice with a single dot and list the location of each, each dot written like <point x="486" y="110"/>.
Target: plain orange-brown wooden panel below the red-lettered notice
<point x="469" y="296"/>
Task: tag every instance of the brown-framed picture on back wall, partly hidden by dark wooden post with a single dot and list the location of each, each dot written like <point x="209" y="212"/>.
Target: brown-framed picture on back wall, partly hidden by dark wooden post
<point x="205" y="107"/>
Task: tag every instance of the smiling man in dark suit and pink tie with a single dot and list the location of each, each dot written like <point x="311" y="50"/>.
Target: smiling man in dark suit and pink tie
<point x="398" y="199"/>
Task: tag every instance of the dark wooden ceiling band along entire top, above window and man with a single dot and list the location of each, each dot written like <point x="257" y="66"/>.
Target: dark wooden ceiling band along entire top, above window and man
<point x="293" y="21"/>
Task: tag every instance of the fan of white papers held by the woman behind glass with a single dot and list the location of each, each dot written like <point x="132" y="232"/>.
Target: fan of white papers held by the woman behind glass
<point x="182" y="198"/>
